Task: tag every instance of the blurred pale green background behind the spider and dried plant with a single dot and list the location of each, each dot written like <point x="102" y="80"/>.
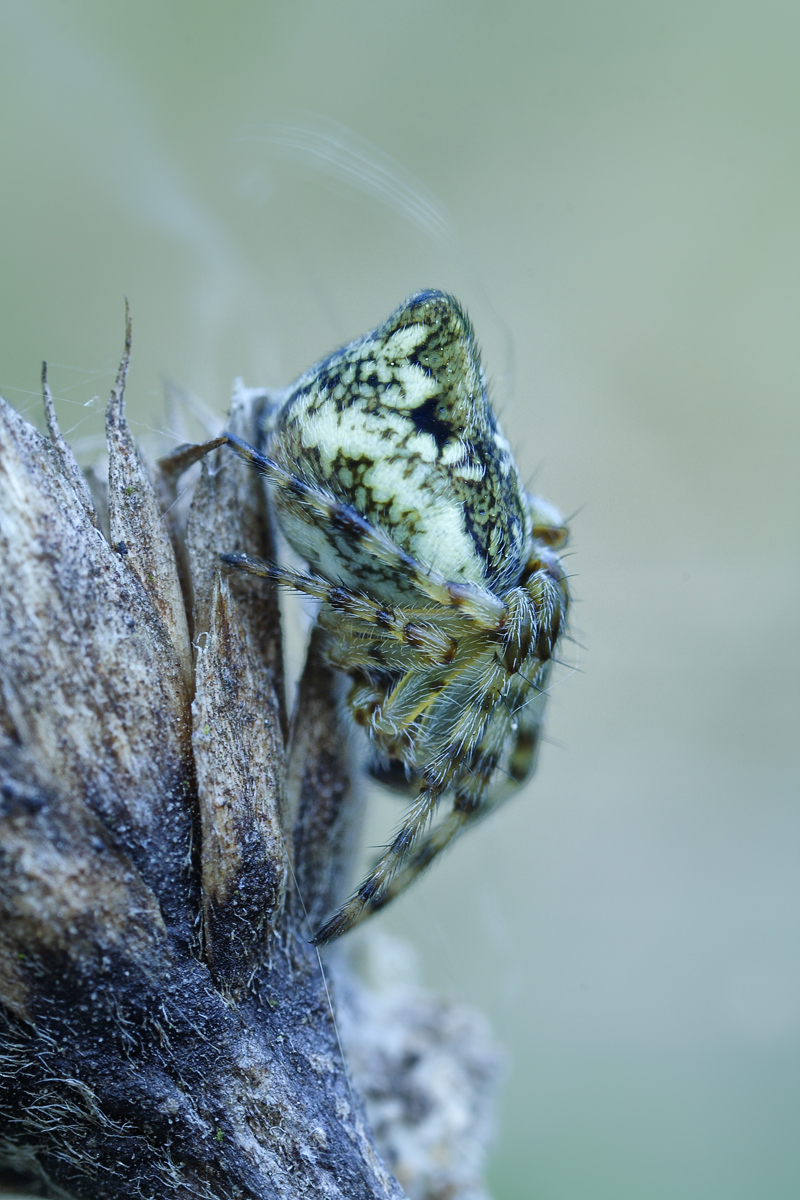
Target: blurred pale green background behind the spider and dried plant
<point x="613" y="190"/>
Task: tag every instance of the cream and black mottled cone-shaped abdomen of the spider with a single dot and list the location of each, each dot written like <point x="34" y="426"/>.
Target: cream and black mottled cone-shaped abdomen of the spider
<point x="399" y="425"/>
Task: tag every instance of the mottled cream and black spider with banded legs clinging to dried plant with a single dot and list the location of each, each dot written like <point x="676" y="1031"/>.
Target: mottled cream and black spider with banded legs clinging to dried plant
<point x="440" y="583"/>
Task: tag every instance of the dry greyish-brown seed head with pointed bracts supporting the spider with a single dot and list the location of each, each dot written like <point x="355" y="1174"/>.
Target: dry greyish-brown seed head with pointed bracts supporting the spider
<point x="166" y="1029"/>
